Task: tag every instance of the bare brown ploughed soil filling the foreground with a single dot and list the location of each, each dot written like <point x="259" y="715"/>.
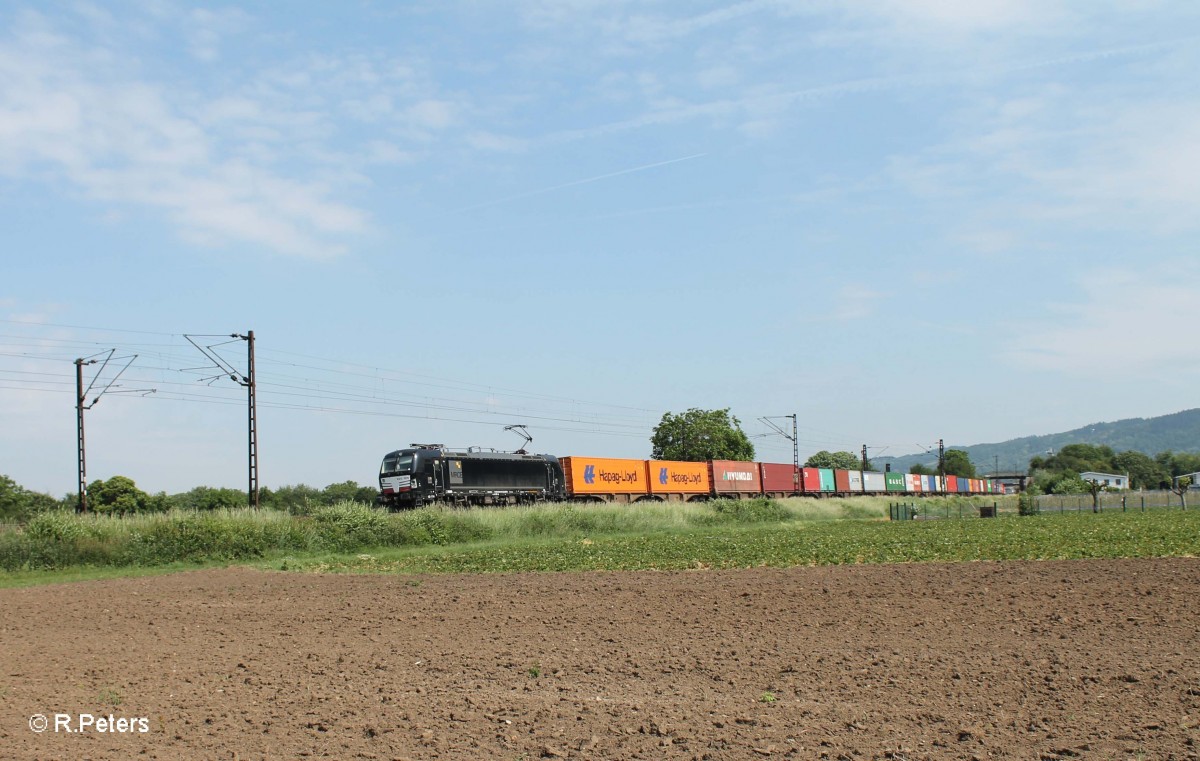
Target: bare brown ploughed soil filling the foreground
<point x="1089" y="660"/>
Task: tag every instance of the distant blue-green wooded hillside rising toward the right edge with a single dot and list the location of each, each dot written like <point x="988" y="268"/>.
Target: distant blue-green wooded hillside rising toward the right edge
<point x="1179" y="433"/>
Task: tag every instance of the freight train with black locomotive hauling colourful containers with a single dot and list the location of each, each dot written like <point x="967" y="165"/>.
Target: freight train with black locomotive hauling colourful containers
<point x="431" y="474"/>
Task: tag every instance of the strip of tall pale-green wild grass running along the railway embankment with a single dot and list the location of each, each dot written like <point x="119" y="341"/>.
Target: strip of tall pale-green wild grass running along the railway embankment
<point x="61" y="541"/>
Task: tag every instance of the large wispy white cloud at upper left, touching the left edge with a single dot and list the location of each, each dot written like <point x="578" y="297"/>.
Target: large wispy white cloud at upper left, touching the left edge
<point x="80" y="115"/>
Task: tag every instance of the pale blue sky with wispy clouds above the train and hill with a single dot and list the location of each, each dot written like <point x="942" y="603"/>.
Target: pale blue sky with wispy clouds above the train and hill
<point x="902" y="220"/>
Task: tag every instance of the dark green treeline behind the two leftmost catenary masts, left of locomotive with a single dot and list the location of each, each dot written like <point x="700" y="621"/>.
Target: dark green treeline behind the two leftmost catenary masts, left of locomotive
<point x="122" y="496"/>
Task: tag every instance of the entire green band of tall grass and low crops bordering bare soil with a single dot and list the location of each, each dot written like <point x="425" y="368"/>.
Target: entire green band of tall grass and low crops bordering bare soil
<point x="718" y="535"/>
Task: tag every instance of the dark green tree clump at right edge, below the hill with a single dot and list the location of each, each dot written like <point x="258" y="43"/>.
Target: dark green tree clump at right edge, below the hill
<point x="1060" y="474"/>
